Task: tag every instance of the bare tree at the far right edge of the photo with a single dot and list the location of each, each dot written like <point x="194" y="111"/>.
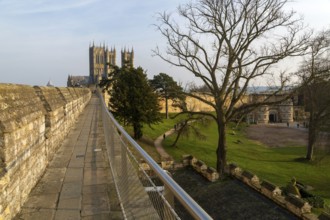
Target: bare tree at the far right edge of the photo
<point x="315" y="79"/>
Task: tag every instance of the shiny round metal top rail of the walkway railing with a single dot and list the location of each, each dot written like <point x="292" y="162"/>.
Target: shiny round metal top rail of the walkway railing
<point x="191" y="206"/>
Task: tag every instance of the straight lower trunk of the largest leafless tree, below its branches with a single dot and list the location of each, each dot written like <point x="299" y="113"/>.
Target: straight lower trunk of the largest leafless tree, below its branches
<point x="221" y="150"/>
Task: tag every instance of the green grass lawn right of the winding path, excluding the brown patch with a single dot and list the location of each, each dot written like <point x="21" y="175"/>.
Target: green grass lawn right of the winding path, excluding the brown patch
<point x="277" y="165"/>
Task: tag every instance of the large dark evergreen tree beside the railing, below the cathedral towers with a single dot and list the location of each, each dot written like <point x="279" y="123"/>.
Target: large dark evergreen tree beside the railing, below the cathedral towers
<point x="133" y="101"/>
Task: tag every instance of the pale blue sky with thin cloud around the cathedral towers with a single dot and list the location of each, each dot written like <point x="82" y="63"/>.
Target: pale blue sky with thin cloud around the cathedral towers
<point x="42" y="40"/>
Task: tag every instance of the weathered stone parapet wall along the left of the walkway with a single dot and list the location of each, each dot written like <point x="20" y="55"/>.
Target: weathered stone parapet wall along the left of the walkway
<point x="33" y="123"/>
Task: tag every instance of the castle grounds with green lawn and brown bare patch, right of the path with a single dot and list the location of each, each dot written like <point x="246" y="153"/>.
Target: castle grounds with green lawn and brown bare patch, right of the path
<point x="273" y="152"/>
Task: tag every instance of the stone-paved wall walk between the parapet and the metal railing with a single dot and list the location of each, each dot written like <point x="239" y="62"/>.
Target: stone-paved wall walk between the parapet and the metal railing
<point x="77" y="184"/>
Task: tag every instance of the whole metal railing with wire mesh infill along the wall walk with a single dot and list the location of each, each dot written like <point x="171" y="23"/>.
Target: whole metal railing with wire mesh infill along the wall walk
<point x="141" y="197"/>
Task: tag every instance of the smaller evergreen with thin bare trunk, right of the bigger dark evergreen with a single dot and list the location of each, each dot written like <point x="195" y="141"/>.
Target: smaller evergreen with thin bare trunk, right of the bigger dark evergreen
<point x="167" y="89"/>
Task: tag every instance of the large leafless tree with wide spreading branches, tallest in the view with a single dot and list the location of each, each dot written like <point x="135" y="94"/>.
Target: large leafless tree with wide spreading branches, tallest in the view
<point x="229" y="44"/>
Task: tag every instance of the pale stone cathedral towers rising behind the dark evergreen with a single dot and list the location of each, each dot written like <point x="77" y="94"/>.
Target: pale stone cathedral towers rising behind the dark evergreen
<point x="102" y="59"/>
